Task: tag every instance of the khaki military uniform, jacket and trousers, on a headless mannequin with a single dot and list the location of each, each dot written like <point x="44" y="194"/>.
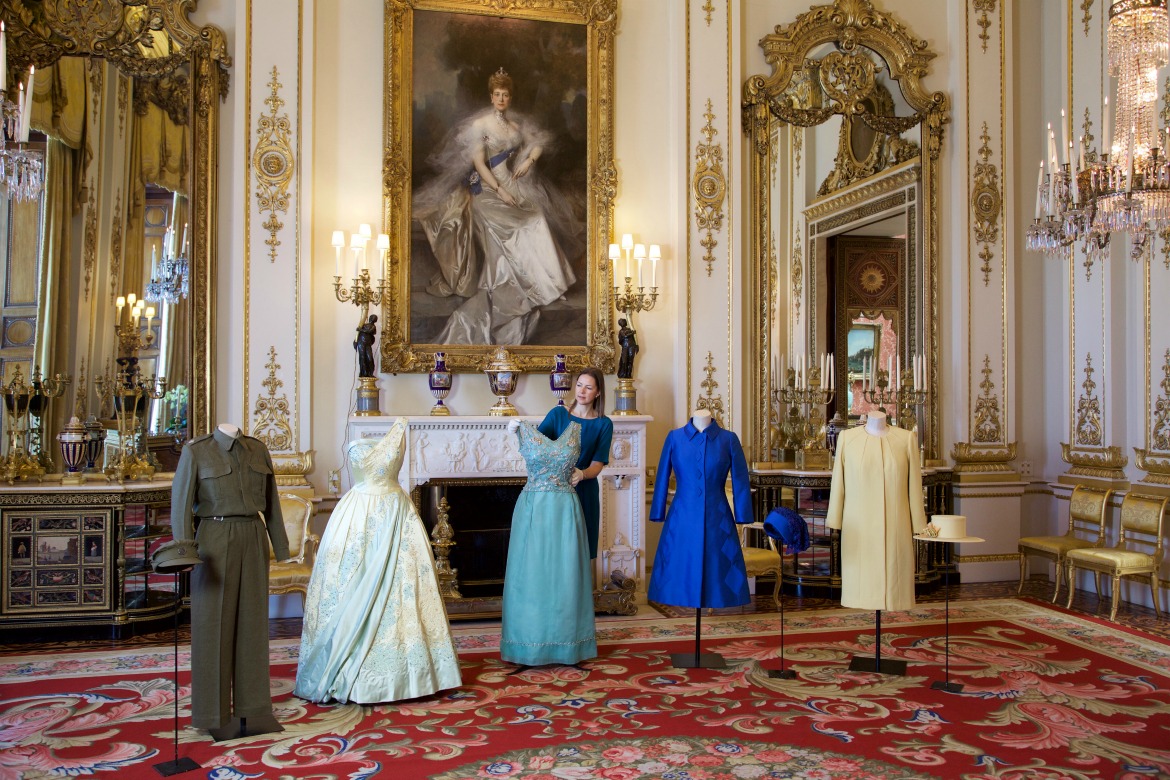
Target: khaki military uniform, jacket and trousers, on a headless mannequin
<point x="225" y="498"/>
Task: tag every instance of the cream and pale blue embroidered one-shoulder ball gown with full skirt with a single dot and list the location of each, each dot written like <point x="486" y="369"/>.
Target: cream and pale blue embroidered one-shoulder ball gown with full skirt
<point x="375" y="625"/>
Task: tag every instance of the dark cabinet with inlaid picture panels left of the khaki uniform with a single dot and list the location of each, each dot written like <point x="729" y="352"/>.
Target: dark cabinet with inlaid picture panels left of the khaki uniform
<point x="80" y="557"/>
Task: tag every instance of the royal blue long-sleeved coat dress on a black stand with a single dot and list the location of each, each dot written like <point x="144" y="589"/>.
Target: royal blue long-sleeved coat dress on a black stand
<point x="699" y="562"/>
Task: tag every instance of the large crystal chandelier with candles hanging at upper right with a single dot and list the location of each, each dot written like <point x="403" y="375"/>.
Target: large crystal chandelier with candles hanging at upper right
<point x="1126" y="189"/>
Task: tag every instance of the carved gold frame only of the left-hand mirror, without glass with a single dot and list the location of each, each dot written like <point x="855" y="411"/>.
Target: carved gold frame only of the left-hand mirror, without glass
<point x="40" y="33"/>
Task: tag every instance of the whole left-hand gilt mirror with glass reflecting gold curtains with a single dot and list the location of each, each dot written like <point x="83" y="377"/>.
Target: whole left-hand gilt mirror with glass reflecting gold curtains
<point x="126" y="111"/>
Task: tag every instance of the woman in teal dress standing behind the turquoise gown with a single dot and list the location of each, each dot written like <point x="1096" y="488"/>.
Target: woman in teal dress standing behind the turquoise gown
<point x="597" y="436"/>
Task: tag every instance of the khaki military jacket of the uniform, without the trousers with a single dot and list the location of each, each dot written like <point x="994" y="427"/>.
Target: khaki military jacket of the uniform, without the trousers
<point x="222" y="477"/>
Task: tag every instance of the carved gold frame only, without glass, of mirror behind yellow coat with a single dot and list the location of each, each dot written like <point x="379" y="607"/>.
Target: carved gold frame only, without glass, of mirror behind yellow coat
<point x="848" y="79"/>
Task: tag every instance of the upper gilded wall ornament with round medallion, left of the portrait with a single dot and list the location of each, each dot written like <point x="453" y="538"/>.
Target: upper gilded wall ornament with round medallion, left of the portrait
<point x="274" y="163"/>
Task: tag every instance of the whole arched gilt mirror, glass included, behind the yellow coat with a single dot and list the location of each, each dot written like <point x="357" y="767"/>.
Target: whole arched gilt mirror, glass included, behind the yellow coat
<point x="844" y="208"/>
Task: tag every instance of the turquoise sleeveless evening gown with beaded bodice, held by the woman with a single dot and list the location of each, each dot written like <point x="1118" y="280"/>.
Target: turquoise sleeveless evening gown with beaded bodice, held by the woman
<point x="548" y="589"/>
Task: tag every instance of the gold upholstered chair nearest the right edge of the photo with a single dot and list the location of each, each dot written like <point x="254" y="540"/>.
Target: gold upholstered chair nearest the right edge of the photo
<point x="1138" y="554"/>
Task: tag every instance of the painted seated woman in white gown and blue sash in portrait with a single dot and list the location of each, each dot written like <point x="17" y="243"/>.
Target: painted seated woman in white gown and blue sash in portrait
<point x="500" y="233"/>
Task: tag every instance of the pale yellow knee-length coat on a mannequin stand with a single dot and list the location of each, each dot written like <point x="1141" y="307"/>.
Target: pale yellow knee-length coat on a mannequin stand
<point x="877" y="502"/>
